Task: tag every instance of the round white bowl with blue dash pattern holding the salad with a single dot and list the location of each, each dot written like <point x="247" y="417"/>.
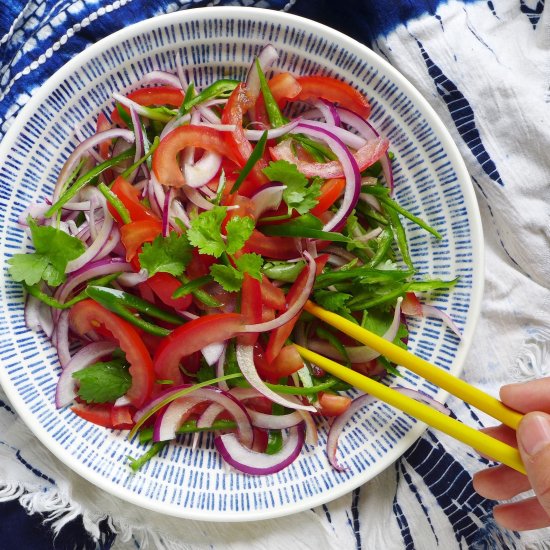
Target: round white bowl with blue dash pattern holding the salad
<point x="431" y="181"/>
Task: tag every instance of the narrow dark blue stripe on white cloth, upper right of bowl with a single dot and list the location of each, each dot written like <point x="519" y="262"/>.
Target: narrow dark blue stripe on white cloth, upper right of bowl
<point x="462" y="114"/>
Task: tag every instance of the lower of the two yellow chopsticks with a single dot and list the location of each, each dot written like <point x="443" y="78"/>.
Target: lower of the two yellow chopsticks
<point x="484" y="443"/>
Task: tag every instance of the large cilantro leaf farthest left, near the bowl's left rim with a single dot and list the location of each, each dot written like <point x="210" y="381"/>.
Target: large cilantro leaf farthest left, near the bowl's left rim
<point x="53" y="250"/>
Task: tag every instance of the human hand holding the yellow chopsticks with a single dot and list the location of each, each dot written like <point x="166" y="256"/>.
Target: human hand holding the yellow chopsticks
<point x="533" y="440"/>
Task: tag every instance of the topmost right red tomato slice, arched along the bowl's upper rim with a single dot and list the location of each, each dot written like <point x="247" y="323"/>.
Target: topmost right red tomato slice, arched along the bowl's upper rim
<point x="334" y="90"/>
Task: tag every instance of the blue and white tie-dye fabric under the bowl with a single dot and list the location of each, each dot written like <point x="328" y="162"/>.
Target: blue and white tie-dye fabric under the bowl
<point x="485" y="67"/>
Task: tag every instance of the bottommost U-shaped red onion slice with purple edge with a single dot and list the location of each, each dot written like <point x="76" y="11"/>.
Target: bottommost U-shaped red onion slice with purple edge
<point x="253" y="463"/>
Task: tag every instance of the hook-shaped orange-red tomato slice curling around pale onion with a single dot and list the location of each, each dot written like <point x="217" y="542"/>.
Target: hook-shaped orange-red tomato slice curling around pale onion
<point x="165" y="158"/>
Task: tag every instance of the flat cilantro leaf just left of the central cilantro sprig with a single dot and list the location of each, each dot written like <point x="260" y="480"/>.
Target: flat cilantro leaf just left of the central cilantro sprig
<point x="169" y="254"/>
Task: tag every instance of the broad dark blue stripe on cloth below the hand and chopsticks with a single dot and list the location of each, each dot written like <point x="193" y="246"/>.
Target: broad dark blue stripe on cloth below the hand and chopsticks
<point x="469" y="514"/>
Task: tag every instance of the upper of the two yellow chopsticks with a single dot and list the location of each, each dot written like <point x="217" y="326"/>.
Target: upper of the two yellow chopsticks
<point x="441" y="378"/>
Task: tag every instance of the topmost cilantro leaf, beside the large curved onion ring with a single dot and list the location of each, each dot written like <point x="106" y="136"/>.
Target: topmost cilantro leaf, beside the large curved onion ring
<point x="298" y="195"/>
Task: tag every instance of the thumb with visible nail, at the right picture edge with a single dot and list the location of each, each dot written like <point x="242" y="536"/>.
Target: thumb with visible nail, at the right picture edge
<point x="534" y="445"/>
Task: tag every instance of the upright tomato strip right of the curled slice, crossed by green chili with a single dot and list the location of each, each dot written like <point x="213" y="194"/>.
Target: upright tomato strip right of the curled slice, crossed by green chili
<point x="237" y="105"/>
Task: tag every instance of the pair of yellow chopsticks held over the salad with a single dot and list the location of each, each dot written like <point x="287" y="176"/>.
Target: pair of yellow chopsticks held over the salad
<point x="489" y="446"/>
